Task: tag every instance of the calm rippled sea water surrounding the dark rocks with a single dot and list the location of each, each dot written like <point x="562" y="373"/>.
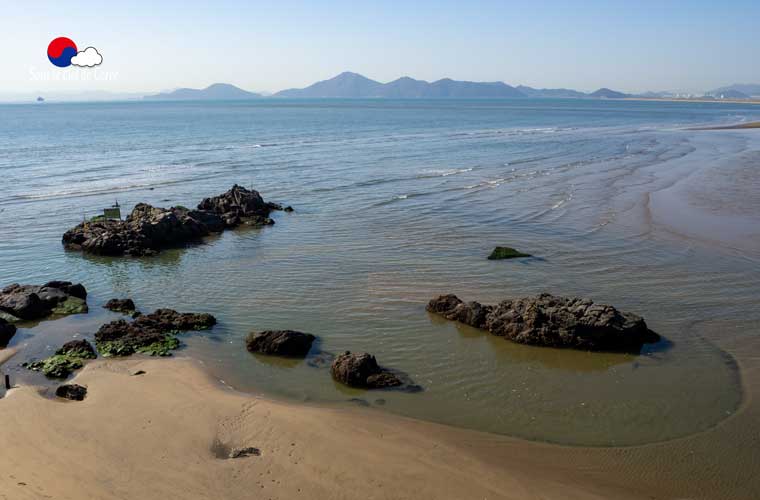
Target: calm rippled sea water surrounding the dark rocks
<point x="399" y="201"/>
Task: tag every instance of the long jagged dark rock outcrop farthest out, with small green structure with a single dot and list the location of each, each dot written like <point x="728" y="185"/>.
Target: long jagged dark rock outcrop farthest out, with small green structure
<point x="148" y="230"/>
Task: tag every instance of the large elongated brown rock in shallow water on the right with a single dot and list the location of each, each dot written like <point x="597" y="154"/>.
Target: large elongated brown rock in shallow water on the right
<point x="546" y="320"/>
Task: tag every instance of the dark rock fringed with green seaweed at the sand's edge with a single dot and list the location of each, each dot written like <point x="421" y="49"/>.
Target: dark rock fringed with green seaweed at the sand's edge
<point x="152" y="334"/>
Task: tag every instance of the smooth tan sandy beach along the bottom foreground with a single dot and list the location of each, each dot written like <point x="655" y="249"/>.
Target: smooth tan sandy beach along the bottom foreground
<point x="162" y="435"/>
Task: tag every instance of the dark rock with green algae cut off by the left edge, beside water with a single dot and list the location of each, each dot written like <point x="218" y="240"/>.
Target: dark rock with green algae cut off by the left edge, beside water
<point x="33" y="302"/>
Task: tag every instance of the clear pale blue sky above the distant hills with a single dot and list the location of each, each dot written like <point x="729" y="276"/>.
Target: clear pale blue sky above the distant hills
<point x="150" y="46"/>
